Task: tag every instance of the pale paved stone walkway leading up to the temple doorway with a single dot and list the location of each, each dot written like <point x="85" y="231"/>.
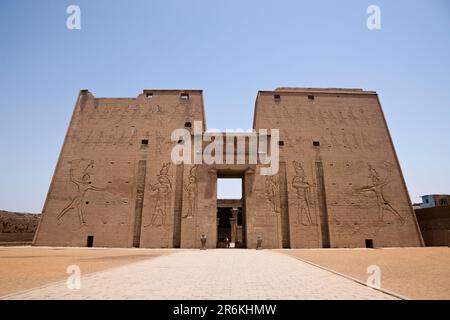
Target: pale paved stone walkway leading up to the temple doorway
<point x="211" y="274"/>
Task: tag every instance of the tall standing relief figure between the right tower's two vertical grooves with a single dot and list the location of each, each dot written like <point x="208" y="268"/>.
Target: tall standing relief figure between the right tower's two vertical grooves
<point x="303" y="190"/>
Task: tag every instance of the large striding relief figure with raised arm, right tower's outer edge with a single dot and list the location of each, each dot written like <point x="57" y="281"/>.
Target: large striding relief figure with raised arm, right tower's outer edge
<point x="377" y="187"/>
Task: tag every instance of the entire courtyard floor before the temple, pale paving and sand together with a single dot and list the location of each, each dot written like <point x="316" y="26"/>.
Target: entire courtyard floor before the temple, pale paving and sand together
<point x="40" y="273"/>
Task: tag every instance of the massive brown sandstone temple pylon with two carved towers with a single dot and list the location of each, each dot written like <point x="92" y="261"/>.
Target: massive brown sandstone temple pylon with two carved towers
<point x="339" y="183"/>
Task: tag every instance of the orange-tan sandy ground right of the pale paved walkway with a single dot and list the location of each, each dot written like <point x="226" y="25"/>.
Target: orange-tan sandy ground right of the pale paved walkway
<point x="417" y="273"/>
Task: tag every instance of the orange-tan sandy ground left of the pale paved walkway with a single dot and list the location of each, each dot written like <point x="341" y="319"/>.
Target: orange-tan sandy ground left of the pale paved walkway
<point x="24" y="268"/>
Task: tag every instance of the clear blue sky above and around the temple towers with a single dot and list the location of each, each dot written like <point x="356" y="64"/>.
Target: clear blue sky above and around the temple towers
<point x="230" y="49"/>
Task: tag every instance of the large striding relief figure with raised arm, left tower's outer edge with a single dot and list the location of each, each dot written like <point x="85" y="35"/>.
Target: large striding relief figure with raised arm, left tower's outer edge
<point x="83" y="185"/>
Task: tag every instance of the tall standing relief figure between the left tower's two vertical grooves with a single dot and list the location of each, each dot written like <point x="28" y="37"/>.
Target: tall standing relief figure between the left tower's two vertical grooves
<point x="163" y="189"/>
